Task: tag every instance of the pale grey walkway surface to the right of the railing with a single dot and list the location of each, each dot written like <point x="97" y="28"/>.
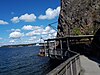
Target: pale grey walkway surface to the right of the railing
<point x="90" y="67"/>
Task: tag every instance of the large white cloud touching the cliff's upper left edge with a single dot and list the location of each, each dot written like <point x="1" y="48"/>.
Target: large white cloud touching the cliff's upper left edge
<point x="50" y="14"/>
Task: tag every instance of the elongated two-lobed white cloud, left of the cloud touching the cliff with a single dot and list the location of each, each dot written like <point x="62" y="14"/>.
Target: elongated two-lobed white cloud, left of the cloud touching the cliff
<point x="26" y="17"/>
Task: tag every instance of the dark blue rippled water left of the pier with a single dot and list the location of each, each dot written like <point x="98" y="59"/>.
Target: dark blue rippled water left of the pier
<point x="23" y="61"/>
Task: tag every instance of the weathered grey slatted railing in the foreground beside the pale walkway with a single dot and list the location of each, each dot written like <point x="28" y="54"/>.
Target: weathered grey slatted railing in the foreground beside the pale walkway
<point x="72" y="66"/>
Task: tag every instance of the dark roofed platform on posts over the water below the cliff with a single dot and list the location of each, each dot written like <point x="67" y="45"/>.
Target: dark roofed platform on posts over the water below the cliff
<point x="59" y="48"/>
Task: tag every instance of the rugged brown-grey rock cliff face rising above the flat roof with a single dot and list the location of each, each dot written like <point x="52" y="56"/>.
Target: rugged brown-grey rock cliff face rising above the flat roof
<point x="79" y="17"/>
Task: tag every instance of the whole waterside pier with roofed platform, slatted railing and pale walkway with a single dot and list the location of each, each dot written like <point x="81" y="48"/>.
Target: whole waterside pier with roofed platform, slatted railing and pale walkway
<point x="74" y="63"/>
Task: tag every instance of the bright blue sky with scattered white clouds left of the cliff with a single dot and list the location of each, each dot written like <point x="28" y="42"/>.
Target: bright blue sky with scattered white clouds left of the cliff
<point x="26" y="21"/>
